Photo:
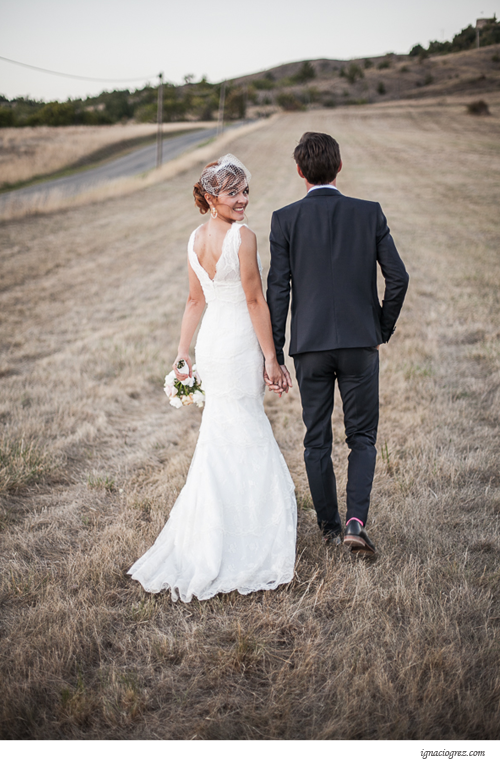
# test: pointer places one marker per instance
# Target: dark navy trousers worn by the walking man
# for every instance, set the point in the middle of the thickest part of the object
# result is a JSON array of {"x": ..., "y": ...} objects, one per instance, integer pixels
[{"x": 356, "y": 371}]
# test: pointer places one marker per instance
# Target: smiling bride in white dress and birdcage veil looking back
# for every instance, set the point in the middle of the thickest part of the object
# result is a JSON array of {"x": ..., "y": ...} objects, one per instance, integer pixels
[{"x": 233, "y": 526}]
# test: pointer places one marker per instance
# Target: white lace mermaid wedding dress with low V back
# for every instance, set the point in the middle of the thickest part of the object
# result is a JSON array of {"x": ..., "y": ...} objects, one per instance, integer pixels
[{"x": 233, "y": 526}]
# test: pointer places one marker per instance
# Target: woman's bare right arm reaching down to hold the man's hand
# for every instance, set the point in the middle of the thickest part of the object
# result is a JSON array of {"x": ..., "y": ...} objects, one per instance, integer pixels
[{"x": 257, "y": 305}]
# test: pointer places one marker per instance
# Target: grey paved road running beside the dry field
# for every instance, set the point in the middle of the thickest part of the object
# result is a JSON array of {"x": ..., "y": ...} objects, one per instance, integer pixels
[{"x": 135, "y": 162}]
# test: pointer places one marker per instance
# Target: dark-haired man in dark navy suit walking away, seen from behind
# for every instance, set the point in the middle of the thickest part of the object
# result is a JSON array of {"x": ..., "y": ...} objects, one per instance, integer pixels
[{"x": 324, "y": 250}]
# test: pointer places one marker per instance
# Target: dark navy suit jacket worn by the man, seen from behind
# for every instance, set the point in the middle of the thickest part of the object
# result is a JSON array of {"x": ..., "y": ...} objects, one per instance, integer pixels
[{"x": 324, "y": 250}]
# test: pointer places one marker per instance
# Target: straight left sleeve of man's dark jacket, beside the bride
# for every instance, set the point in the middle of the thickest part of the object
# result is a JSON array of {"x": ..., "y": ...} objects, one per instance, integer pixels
[{"x": 278, "y": 285}]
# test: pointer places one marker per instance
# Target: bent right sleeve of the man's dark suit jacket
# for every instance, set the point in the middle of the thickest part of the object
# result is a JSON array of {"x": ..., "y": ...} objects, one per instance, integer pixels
[{"x": 395, "y": 275}]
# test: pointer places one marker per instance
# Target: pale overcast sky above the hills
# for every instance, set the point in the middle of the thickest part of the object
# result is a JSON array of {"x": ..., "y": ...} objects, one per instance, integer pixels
[{"x": 121, "y": 39}]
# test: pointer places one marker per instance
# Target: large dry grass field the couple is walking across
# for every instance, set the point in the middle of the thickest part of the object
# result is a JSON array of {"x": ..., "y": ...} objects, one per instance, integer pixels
[{"x": 92, "y": 457}]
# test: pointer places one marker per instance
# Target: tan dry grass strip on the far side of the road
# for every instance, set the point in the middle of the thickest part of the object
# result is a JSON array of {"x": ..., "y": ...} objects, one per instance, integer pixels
[{"x": 27, "y": 152}]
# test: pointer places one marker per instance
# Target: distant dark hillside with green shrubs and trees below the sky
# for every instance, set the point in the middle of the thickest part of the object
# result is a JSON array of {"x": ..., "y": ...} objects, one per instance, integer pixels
[{"x": 442, "y": 68}]
